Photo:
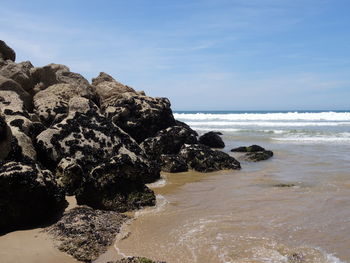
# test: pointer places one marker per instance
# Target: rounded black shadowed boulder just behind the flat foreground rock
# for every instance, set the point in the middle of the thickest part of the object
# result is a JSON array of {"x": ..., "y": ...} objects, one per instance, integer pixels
[{"x": 118, "y": 185}]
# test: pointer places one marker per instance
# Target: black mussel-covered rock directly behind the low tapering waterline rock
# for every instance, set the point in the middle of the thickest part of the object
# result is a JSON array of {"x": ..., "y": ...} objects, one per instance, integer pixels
[{"x": 168, "y": 141}]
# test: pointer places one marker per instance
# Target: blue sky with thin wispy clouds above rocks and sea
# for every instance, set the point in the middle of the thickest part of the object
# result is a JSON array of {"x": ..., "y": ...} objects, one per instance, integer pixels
[{"x": 202, "y": 55}]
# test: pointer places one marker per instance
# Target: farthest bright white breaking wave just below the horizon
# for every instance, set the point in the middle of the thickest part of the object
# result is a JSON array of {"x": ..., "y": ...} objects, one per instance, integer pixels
[{"x": 289, "y": 116}]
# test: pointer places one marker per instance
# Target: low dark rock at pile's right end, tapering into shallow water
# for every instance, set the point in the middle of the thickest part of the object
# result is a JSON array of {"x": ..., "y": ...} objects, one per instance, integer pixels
[{"x": 203, "y": 159}]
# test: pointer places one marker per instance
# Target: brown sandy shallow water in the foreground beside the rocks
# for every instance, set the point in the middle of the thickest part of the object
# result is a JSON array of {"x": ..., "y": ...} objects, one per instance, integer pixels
[{"x": 240, "y": 216}]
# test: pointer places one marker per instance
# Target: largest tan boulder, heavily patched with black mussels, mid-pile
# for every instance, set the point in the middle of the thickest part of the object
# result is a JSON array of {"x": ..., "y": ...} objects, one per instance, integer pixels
[{"x": 84, "y": 140}]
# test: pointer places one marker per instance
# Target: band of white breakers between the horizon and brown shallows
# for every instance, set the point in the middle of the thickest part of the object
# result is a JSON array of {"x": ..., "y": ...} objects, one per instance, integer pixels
[{"x": 299, "y": 126}]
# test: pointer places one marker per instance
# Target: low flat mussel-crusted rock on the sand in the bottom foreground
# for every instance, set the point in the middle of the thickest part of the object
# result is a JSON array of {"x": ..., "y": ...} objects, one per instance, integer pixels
[{"x": 86, "y": 233}]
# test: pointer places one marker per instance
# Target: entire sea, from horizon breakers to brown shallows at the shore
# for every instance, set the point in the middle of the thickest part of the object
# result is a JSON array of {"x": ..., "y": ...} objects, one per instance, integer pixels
[{"x": 241, "y": 216}]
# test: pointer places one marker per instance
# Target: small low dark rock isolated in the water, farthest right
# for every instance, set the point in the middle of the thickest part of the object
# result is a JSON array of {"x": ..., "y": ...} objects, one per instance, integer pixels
[{"x": 253, "y": 153}]
